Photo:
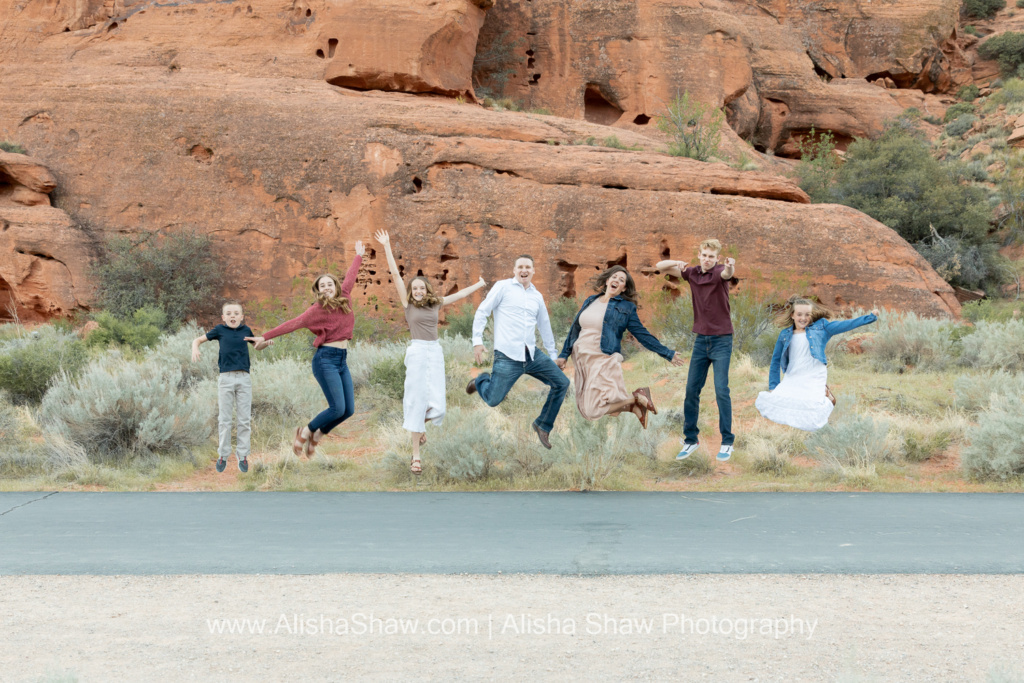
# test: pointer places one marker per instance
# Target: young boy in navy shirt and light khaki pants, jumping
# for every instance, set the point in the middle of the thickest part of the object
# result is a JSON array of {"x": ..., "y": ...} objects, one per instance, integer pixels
[{"x": 235, "y": 388}]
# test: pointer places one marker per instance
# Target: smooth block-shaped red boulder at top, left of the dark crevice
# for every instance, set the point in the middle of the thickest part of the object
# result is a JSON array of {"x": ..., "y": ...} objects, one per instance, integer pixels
[{"x": 404, "y": 46}]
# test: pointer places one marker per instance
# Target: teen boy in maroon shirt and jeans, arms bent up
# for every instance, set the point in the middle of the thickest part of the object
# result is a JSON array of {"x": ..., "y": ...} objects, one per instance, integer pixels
[{"x": 713, "y": 347}]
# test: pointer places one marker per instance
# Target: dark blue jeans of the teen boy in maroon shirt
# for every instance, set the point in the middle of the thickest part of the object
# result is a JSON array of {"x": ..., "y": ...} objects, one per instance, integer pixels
[{"x": 709, "y": 351}]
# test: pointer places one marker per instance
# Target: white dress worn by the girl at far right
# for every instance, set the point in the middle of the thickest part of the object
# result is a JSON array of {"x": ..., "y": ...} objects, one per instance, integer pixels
[{"x": 799, "y": 401}]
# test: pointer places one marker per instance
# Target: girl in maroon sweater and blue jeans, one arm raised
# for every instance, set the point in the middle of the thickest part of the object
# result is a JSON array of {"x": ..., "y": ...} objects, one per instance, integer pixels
[{"x": 331, "y": 319}]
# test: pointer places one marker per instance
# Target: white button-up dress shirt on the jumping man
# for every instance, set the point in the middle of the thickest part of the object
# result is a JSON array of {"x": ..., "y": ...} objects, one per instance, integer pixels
[{"x": 519, "y": 312}]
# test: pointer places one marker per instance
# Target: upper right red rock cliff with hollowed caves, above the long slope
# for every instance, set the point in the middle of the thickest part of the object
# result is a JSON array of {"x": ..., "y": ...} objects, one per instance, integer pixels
[{"x": 779, "y": 67}]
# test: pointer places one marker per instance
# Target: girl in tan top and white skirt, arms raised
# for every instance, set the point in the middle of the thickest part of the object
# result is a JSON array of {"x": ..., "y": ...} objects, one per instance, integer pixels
[{"x": 424, "y": 397}]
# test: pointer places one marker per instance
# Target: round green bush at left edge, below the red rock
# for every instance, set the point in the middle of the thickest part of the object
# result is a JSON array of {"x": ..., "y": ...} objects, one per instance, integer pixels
[{"x": 31, "y": 362}]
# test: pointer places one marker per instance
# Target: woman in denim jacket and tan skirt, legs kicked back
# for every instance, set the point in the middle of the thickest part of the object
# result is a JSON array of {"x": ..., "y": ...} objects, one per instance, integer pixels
[{"x": 594, "y": 341}]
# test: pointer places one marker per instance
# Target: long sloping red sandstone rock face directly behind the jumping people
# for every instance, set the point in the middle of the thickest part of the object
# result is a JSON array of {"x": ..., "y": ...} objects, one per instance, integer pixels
[{"x": 226, "y": 124}]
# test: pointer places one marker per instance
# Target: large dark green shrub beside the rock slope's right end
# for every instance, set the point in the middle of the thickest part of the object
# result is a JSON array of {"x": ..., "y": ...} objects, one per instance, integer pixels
[{"x": 897, "y": 181}]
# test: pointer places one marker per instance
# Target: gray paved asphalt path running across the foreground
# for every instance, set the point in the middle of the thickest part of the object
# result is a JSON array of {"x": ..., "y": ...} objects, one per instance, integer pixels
[{"x": 547, "y": 533}]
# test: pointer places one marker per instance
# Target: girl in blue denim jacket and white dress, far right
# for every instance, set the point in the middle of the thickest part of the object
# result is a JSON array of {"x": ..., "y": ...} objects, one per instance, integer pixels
[{"x": 802, "y": 399}]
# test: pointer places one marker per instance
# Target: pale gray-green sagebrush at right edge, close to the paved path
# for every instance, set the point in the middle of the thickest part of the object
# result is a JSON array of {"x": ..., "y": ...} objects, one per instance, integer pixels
[{"x": 996, "y": 449}]
